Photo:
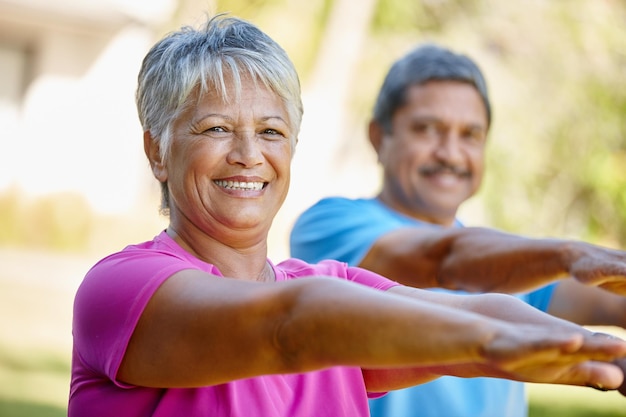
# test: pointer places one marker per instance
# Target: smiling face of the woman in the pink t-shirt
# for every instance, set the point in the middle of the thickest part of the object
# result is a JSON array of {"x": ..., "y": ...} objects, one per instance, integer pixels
[{"x": 229, "y": 165}]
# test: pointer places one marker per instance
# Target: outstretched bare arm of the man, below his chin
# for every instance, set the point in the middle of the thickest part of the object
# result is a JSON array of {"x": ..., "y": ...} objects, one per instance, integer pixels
[{"x": 486, "y": 260}]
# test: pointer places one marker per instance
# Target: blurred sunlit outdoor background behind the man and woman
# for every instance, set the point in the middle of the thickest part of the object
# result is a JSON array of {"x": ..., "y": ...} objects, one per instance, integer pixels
[{"x": 75, "y": 185}]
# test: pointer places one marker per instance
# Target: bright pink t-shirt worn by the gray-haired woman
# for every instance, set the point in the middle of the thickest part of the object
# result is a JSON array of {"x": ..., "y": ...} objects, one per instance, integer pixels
[{"x": 107, "y": 308}]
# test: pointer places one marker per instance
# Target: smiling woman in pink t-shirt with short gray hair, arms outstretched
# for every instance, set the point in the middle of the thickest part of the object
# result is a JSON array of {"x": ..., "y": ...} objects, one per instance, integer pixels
[{"x": 199, "y": 322}]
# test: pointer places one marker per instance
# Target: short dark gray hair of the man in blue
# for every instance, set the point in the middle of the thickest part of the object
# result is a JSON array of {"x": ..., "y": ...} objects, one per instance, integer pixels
[{"x": 426, "y": 63}]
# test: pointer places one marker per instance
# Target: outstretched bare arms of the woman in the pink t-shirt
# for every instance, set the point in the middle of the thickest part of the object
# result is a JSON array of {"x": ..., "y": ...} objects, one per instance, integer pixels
[{"x": 200, "y": 329}]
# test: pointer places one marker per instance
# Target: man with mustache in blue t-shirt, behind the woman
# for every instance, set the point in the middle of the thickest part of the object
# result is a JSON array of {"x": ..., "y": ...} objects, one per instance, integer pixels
[{"x": 429, "y": 129}]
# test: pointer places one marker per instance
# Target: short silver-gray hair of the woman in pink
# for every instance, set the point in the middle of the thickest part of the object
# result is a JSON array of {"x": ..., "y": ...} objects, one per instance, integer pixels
[{"x": 205, "y": 57}]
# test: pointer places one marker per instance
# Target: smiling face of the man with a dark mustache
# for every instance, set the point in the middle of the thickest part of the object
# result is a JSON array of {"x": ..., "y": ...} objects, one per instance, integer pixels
[{"x": 433, "y": 159}]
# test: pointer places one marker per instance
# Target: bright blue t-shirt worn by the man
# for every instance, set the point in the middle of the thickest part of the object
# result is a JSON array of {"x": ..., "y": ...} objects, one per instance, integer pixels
[{"x": 345, "y": 230}]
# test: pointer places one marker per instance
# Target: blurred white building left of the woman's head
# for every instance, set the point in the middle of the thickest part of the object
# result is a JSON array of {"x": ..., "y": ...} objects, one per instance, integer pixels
[{"x": 67, "y": 115}]
